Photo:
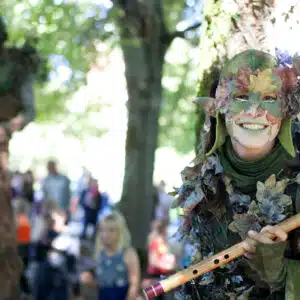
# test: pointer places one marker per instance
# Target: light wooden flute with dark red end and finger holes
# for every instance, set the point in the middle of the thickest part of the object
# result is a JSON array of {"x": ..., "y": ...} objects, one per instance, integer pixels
[{"x": 211, "y": 263}]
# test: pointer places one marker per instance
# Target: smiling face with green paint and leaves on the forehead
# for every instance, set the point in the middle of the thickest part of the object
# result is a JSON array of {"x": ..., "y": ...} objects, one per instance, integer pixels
[{"x": 254, "y": 111}]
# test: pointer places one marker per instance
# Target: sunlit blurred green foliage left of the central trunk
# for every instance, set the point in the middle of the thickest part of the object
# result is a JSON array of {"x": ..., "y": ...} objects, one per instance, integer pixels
[{"x": 66, "y": 34}]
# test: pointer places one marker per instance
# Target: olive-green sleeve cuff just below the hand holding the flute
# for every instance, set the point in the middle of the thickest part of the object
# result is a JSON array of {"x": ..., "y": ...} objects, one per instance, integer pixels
[{"x": 271, "y": 264}]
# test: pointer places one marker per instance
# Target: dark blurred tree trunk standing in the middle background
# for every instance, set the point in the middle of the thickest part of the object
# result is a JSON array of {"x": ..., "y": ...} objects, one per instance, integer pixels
[{"x": 141, "y": 30}]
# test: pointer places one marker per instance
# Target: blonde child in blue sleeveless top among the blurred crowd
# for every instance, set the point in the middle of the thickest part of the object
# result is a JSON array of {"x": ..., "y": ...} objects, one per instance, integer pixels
[{"x": 117, "y": 274}]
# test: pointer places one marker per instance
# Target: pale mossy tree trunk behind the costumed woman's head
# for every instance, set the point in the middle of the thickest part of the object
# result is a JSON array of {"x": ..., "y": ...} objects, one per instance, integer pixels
[{"x": 230, "y": 27}]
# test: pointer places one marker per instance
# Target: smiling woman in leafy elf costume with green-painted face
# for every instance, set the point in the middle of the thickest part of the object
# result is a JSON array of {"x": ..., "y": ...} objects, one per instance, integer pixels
[{"x": 244, "y": 181}]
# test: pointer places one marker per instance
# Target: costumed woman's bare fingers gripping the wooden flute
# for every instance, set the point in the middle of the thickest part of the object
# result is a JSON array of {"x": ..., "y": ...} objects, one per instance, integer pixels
[{"x": 275, "y": 234}]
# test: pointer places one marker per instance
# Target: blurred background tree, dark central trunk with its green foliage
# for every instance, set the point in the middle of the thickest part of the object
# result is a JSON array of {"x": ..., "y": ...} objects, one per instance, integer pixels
[{"x": 67, "y": 34}]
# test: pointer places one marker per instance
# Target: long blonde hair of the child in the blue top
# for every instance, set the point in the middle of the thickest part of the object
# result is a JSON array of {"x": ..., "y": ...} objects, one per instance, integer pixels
[{"x": 124, "y": 238}]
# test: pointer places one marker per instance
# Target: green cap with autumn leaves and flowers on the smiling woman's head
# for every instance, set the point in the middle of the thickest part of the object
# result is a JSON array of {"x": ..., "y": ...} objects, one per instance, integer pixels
[{"x": 259, "y": 75}]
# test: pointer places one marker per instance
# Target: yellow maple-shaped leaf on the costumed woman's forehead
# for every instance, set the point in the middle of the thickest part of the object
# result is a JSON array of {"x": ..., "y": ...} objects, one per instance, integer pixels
[{"x": 263, "y": 83}]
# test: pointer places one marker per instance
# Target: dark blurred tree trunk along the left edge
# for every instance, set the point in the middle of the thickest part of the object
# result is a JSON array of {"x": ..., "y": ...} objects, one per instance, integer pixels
[{"x": 18, "y": 68}]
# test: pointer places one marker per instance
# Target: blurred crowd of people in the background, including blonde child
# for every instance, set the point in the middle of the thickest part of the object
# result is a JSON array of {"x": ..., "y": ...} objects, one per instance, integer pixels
[{"x": 72, "y": 241}]
